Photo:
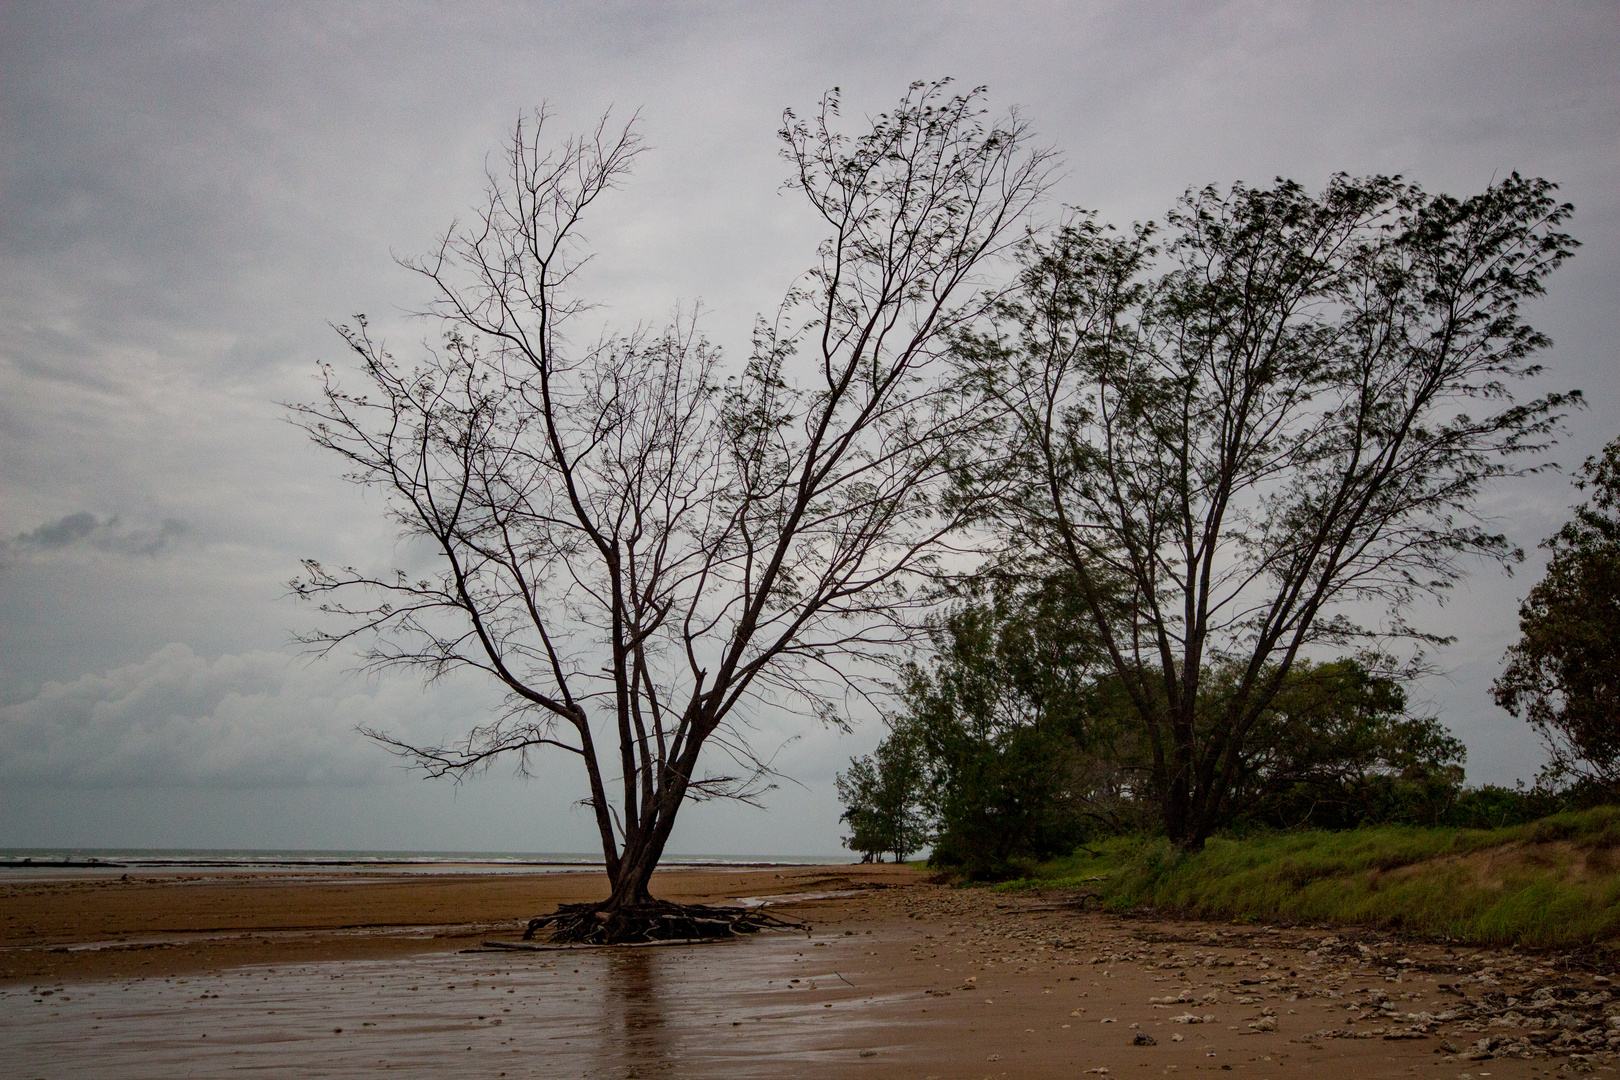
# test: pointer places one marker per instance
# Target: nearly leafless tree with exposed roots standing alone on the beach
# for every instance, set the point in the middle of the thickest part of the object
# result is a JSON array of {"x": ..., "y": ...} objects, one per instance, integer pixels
[{"x": 636, "y": 546}]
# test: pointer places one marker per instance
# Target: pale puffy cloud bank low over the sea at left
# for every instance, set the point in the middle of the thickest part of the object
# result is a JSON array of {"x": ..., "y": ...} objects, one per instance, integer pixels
[{"x": 249, "y": 720}]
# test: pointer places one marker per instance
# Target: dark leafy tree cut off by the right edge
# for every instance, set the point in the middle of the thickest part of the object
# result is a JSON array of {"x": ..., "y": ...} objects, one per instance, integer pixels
[{"x": 1564, "y": 674}]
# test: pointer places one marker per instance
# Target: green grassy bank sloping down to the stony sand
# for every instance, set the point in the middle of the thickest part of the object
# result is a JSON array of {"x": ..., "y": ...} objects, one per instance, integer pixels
[{"x": 1553, "y": 883}]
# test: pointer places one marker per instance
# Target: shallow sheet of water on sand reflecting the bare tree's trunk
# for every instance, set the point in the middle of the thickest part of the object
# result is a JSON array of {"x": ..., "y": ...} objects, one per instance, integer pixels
[{"x": 717, "y": 1011}]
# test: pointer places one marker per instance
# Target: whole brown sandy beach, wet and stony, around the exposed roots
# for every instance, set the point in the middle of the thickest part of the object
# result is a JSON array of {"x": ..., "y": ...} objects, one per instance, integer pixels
[{"x": 296, "y": 977}]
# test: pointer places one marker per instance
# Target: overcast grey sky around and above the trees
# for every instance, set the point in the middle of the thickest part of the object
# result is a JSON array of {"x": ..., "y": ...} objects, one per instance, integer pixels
[{"x": 192, "y": 193}]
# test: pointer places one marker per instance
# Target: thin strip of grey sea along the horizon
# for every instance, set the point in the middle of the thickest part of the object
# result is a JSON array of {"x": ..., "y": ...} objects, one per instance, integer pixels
[{"x": 121, "y": 859}]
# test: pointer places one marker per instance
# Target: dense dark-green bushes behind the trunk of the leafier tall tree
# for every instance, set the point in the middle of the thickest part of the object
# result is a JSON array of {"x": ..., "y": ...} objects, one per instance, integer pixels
[{"x": 1017, "y": 742}]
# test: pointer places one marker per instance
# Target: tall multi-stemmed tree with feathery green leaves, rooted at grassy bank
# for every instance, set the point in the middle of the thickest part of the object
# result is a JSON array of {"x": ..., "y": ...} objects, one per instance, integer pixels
[{"x": 1242, "y": 449}]
